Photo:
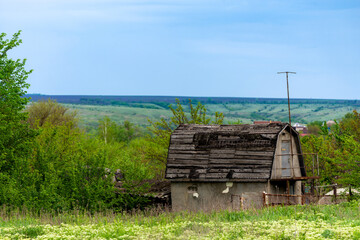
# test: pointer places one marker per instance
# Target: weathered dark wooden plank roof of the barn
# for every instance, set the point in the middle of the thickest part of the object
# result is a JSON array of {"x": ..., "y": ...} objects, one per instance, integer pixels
[{"x": 222, "y": 152}]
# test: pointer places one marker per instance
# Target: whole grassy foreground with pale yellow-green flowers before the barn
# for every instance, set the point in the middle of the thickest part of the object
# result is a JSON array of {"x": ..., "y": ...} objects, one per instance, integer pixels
[{"x": 295, "y": 222}]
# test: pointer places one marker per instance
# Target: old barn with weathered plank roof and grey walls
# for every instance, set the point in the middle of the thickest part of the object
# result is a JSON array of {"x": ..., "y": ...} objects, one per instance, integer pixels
[{"x": 231, "y": 166}]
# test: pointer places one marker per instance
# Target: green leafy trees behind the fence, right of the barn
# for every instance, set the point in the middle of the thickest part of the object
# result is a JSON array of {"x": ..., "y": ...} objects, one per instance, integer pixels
[{"x": 338, "y": 151}]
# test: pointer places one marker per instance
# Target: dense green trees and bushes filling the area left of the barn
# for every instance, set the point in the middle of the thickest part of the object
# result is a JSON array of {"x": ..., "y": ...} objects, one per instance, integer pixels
[{"x": 48, "y": 163}]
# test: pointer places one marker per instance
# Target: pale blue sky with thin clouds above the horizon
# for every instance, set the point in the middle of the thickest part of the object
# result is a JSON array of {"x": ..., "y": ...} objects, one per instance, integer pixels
[{"x": 214, "y": 48}]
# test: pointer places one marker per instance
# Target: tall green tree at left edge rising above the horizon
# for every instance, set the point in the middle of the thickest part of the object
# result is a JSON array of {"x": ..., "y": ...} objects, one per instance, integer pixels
[{"x": 16, "y": 136}]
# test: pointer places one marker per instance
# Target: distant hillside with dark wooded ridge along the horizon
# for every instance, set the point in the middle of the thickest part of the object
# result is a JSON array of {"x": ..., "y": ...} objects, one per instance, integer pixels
[{"x": 138, "y": 109}]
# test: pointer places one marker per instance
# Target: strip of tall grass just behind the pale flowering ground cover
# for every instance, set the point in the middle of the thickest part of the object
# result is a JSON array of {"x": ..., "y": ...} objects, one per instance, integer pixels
[{"x": 157, "y": 216}]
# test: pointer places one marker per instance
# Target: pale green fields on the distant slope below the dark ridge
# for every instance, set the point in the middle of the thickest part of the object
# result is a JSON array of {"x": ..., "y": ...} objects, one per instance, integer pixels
[{"x": 245, "y": 112}]
